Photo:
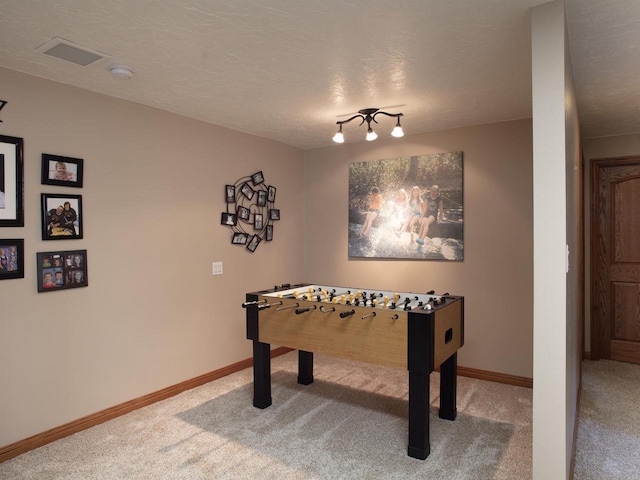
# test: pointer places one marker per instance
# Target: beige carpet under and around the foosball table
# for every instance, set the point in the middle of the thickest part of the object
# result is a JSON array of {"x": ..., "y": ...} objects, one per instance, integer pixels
[{"x": 350, "y": 423}]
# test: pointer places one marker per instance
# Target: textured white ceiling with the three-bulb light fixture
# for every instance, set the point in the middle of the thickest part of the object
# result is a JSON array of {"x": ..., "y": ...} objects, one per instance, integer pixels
[{"x": 289, "y": 69}]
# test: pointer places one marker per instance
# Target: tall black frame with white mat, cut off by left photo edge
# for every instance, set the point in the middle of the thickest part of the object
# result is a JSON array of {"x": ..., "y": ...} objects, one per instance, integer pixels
[{"x": 11, "y": 181}]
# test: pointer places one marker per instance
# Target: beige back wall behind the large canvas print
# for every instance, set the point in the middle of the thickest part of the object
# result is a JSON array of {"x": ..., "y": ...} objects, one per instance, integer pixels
[{"x": 496, "y": 276}]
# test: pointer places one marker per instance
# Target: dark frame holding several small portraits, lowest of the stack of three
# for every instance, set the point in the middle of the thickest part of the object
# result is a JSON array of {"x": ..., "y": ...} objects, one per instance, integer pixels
[{"x": 62, "y": 270}]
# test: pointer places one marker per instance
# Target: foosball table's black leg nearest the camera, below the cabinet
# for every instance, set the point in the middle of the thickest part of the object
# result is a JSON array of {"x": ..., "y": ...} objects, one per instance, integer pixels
[{"x": 419, "y": 446}]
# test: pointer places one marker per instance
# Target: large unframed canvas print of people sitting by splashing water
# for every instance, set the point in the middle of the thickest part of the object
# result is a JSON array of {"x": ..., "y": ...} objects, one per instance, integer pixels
[{"x": 407, "y": 208}]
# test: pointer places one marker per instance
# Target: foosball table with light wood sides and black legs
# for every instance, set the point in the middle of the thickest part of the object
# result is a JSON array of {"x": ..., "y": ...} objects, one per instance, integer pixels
[{"x": 418, "y": 332}]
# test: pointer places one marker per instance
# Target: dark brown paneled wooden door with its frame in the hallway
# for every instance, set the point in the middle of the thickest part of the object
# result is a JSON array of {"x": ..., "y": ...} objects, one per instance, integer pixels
[{"x": 615, "y": 260}]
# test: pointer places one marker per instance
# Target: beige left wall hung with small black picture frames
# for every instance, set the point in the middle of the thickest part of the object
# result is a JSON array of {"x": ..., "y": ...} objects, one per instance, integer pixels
[{"x": 153, "y": 315}]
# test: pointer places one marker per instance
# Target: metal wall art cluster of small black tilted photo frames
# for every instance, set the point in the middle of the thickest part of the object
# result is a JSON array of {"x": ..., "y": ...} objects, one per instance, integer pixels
[{"x": 250, "y": 211}]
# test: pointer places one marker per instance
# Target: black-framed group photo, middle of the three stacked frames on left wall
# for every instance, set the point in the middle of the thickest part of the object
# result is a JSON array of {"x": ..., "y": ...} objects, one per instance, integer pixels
[{"x": 61, "y": 217}]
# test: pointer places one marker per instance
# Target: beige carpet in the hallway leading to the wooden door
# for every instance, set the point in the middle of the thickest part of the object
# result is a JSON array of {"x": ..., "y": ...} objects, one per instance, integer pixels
[{"x": 608, "y": 442}]
